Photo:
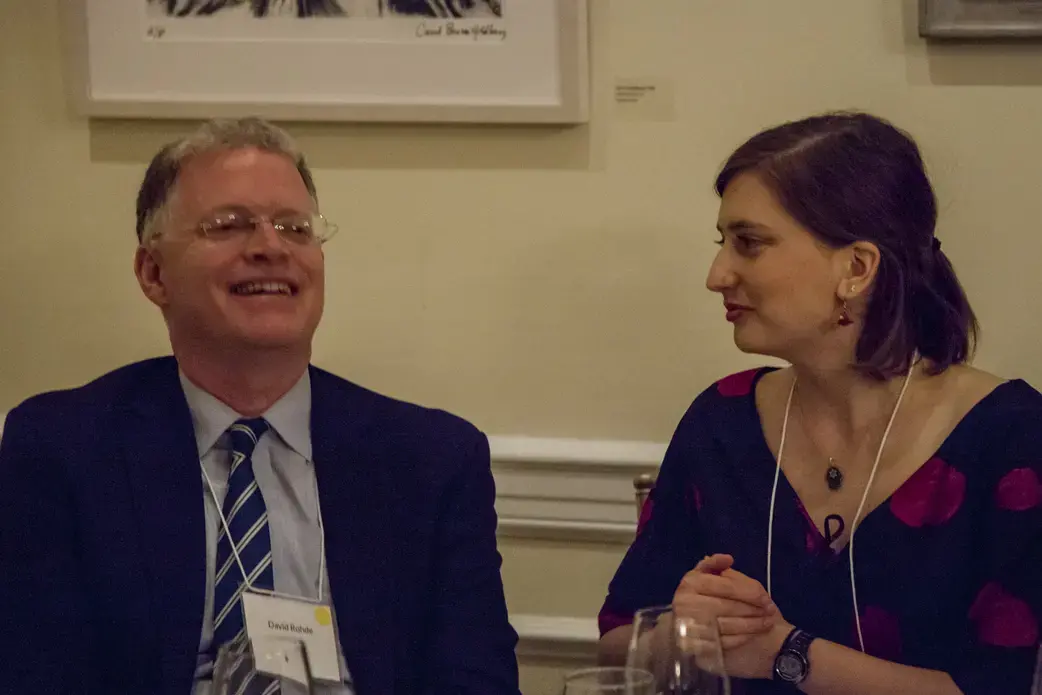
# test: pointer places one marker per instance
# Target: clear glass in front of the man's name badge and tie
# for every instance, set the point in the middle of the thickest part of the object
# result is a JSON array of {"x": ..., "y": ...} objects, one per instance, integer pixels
[{"x": 259, "y": 667}]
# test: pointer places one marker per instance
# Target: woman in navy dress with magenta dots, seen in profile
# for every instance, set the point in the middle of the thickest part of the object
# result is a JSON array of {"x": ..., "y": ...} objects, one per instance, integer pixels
[{"x": 878, "y": 471}]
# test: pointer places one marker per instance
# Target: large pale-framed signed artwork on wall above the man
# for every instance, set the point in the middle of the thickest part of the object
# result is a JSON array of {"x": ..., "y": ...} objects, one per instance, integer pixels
[{"x": 391, "y": 61}]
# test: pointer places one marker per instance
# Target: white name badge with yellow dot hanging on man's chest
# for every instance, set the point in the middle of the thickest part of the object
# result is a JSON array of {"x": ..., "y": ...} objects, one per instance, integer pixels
[{"x": 275, "y": 617}]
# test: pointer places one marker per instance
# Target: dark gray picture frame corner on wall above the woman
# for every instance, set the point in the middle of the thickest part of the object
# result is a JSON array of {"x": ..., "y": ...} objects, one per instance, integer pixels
[{"x": 981, "y": 19}]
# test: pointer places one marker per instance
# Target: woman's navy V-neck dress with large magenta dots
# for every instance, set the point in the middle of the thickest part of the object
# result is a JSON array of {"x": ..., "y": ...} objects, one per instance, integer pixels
[{"x": 949, "y": 568}]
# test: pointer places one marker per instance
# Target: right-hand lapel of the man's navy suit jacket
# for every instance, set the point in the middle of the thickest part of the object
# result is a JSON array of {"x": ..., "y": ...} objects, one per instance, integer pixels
[{"x": 354, "y": 489}]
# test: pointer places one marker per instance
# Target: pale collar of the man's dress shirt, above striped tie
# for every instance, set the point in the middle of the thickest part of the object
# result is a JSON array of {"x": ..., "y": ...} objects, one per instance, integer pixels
[{"x": 290, "y": 416}]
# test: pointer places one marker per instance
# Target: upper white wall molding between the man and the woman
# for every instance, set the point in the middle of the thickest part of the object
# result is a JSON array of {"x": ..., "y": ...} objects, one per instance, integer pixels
[{"x": 567, "y": 488}]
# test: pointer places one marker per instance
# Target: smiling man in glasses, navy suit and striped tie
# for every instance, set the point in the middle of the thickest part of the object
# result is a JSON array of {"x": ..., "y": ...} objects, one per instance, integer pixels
[{"x": 123, "y": 503}]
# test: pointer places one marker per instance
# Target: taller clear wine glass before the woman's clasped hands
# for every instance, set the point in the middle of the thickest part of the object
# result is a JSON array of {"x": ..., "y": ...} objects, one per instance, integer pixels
[{"x": 683, "y": 653}]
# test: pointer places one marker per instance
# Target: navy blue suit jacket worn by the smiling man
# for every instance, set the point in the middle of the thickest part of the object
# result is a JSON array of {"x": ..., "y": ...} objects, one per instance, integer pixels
[{"x": 103, "y": 545}]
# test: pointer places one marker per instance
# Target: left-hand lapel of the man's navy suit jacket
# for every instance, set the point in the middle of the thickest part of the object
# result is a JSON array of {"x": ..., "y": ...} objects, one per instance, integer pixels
[{"x": 164, "y": 471}]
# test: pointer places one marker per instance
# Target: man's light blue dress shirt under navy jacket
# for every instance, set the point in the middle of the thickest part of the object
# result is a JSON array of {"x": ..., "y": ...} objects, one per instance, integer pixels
[{"x": 285, "y": 474}]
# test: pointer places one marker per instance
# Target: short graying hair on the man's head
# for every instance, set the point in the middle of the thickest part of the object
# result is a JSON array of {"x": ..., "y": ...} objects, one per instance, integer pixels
[{"x": 161, "y": 179}]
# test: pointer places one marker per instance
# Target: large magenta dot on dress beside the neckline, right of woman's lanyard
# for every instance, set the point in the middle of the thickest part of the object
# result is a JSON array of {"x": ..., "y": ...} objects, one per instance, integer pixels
[{"x": 931, "y": 498}]
